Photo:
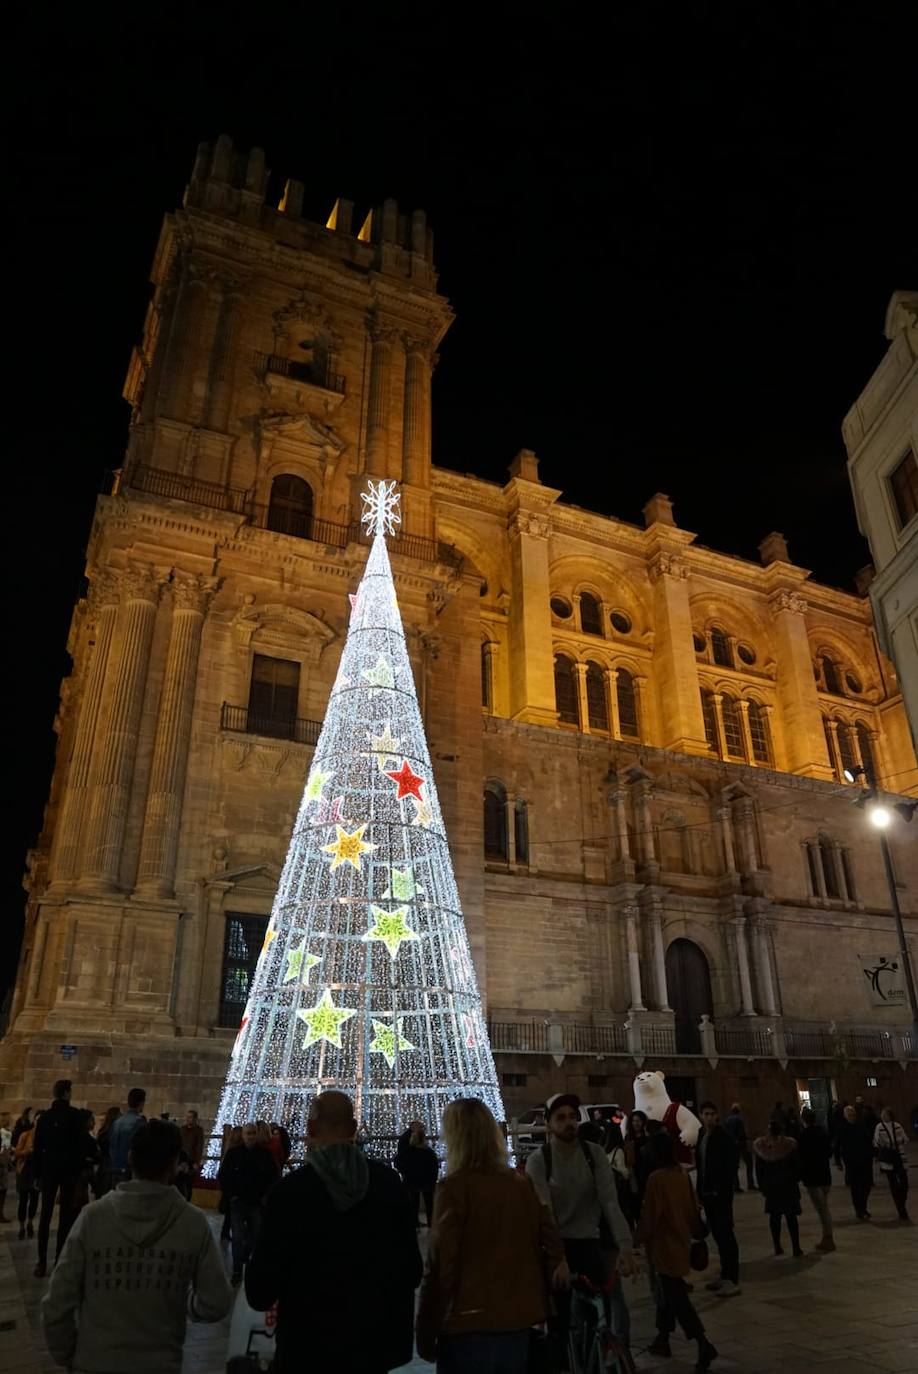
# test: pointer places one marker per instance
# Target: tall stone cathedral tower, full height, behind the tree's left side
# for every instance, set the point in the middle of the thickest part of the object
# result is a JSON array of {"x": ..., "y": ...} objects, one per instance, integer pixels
[{"x": 282, "y": 362}]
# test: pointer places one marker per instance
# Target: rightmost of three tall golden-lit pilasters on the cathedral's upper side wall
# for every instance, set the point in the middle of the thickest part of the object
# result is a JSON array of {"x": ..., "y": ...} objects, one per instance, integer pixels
[{"x": 798, "y": 696}]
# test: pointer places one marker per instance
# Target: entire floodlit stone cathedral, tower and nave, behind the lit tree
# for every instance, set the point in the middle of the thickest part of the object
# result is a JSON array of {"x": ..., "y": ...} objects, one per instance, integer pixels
[{"x": 640, "y": 744}]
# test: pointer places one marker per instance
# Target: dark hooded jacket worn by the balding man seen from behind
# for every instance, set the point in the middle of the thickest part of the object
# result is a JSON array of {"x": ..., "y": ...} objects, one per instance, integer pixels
[{"x": 339, "y": 1252}]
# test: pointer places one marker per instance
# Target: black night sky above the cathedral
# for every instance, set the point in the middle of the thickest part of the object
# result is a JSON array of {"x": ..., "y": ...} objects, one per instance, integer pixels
[{"x": 670, "y": 234}]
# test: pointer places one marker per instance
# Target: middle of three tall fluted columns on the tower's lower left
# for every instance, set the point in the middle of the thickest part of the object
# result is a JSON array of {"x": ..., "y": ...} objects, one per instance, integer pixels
[{"x": 113, "y": 762}]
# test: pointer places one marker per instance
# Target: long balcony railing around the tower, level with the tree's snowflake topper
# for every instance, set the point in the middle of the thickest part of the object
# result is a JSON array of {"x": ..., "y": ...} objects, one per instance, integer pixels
[{"x": 282, "y": 520}]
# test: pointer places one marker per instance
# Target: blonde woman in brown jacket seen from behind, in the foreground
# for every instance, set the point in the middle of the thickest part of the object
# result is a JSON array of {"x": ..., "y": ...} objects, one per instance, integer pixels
[{"x": 491, "y": 1246}]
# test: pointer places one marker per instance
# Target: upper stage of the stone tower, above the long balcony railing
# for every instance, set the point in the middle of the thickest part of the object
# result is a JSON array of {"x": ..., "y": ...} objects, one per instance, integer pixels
[{"x": 274, "y": 344}]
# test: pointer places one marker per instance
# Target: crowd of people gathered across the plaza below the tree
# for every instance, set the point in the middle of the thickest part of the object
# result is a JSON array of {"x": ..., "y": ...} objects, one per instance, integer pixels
[{"x": 335, "y": 1246}]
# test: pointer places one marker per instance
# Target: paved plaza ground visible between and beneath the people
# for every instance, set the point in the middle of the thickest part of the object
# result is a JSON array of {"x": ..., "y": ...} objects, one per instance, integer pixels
[{"x": 854, "y": 1310}]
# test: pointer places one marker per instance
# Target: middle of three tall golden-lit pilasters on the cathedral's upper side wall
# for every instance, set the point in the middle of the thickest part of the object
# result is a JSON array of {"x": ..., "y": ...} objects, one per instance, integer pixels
[{"x": 675, "y": 668}]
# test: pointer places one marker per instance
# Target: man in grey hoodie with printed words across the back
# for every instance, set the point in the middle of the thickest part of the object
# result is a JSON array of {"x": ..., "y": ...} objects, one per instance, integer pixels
[{"x": 135, "y": 1263}]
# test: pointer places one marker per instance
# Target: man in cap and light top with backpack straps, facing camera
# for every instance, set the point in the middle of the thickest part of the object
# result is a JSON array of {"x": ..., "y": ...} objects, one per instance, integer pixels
[{"x": 574, "y": 1180}]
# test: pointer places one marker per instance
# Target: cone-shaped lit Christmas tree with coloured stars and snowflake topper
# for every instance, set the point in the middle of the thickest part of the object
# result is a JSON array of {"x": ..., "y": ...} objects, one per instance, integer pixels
[{"x": 365, "y": 980}]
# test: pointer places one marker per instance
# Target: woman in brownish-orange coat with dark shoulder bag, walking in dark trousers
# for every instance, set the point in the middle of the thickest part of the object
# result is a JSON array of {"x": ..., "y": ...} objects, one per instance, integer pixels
[{"x": 670, "y": 1221}]
